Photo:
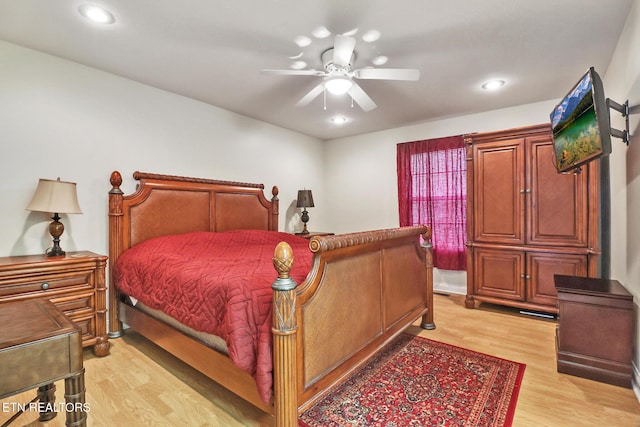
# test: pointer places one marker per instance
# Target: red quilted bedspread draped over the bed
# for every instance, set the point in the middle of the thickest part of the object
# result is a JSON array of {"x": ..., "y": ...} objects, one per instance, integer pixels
[{"x": 218, "y": 283}]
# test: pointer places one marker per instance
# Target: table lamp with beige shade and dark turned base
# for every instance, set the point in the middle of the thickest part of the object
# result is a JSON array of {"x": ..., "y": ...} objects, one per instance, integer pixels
[{"x": 55, "y": 197}]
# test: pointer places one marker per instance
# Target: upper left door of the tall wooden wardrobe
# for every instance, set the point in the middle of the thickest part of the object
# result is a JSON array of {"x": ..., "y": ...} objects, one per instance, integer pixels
[{"x": 499, "y": 190}]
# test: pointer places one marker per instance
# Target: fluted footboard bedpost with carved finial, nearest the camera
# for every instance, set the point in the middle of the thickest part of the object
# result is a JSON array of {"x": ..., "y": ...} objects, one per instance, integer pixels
[{"x": 284, "y": 339}]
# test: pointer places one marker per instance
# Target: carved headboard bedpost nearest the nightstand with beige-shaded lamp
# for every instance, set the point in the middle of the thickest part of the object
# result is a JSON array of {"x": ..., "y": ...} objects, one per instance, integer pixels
[{"x": 115, "y": 249}]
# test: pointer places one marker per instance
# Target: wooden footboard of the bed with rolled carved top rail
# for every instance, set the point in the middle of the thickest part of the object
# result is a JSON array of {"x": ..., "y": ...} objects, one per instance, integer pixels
[{"x": 363, "y": 290}]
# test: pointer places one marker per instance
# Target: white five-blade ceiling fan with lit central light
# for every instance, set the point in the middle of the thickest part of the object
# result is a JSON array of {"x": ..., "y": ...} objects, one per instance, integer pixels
[{"x": 338, "y": 74}]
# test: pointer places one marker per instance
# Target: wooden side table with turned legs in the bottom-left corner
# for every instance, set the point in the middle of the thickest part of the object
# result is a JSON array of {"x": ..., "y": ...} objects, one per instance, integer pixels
[{"x": 38, "y": 346}]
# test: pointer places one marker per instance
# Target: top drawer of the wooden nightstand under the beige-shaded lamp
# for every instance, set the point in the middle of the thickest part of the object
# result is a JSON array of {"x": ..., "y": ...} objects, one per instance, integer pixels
[{"x": 49, "y": 284}]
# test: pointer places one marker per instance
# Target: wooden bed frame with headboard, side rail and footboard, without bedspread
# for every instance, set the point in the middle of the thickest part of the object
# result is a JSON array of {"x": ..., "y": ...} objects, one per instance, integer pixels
[{"x": 361, "y": 291}]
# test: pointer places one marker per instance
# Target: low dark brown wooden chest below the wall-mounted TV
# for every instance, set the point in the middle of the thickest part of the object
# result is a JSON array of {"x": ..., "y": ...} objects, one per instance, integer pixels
[{"x": 595, "y": 329}]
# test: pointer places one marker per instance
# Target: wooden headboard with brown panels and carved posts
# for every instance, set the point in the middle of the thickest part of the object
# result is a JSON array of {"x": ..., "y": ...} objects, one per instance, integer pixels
[{"x": 166, "y": 204}]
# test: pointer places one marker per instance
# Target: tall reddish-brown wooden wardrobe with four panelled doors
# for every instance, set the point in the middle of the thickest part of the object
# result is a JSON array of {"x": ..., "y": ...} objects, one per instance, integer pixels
[{"x": 525, "y": 221}]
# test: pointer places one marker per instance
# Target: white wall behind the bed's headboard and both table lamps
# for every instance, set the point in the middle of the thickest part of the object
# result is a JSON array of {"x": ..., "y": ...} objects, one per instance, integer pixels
[{"x": 61, "y": 119}]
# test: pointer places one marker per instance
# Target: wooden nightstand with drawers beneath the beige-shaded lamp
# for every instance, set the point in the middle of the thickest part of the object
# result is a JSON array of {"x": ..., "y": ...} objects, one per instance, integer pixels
[{"x": 75, "y": 283}]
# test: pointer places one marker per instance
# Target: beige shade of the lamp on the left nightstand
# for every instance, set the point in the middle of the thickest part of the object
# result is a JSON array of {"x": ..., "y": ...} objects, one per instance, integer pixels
[{"x": 55, "y": 197}]
